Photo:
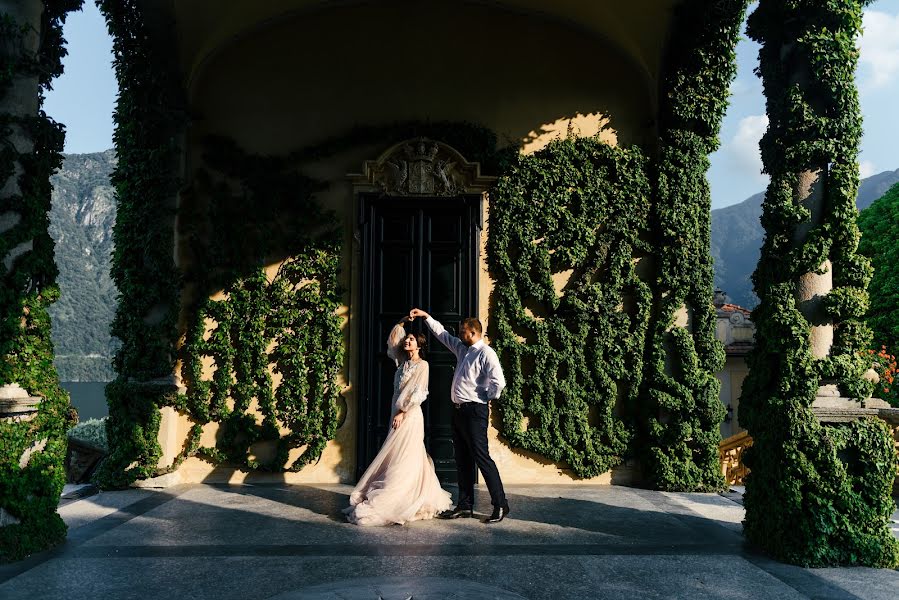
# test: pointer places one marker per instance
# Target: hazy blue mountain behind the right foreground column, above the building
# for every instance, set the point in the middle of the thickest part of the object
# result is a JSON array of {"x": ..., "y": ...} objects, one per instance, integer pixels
[{"x": 737, "y": 237}]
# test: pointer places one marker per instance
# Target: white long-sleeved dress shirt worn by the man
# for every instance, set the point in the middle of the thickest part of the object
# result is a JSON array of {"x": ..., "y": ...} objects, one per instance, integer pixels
[{"x": 478, "y": 377}]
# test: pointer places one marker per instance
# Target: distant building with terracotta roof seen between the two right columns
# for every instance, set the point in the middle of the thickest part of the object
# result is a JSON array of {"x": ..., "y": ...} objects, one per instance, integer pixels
[{"x": 736, "y": 331}]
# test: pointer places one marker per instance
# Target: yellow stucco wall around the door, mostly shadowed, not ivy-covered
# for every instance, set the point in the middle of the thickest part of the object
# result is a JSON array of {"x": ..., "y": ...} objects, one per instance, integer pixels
[{"x": 306, "y": 79}]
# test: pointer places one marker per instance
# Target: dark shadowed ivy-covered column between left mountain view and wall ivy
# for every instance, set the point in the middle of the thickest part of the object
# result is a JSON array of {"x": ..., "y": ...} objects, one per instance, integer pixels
[{"x": 143, "y": 266}]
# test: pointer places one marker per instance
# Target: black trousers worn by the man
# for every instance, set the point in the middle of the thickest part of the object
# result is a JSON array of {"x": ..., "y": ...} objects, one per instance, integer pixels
[{"x": 470, "y": 441}]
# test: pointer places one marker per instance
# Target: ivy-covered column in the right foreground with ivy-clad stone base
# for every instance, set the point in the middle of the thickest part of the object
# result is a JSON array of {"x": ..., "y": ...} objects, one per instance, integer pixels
[{"x": 819, "y": 491}]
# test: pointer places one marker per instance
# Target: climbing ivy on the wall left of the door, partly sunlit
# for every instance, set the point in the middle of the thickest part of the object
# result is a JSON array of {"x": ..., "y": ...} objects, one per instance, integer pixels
[{"x": 284, "y": 324}]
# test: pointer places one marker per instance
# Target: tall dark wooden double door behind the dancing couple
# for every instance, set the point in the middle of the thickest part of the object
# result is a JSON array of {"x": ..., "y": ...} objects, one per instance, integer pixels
[{"x": 416, "y": 252}]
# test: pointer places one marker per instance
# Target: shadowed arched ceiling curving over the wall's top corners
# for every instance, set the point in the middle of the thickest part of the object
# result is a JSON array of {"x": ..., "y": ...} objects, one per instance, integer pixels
[{"x": 639, "y": 28}]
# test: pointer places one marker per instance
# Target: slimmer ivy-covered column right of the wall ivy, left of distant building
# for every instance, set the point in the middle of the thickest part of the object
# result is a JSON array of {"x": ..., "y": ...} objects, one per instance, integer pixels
[{"x": 682, "y": 409}]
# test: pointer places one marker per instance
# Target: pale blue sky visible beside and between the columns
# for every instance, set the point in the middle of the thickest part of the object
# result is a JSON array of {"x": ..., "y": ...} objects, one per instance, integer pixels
[{"x": 83, "y": 99}]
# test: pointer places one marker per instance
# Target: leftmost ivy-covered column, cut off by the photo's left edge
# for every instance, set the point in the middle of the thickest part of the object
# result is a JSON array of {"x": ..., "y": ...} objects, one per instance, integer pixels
[{"x": 34, "y": 410}]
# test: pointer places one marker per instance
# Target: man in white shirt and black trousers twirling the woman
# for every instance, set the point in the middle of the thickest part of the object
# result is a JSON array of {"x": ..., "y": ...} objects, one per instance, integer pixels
[{"x": 477, "y": 380}]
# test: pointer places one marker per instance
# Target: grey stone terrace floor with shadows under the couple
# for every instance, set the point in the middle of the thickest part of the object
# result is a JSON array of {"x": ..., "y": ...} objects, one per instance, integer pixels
[{"x": 290, "y": 542}]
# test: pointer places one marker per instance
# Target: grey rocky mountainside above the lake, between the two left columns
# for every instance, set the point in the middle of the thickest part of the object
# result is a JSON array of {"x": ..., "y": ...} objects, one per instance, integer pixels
[{"x": 82, "y": 215}]
